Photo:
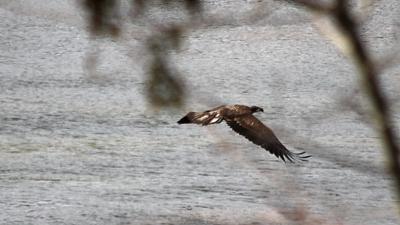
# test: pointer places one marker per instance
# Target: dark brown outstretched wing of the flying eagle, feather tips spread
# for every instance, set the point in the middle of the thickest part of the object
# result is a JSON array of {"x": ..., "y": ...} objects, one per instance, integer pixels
[{"x": 255, "y": 131}]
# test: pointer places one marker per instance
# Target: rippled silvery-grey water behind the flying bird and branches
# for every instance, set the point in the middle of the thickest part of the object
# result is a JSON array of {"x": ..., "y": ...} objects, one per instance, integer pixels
[{"x": 87, "y": 149}]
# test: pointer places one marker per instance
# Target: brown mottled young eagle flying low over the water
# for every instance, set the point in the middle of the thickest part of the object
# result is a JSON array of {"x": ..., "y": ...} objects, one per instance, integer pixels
[{"x": 241, "y": 120}]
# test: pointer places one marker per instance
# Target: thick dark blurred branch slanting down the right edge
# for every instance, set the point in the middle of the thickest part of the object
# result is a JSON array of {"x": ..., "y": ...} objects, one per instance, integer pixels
[{"x": 346, "y": 24}]
